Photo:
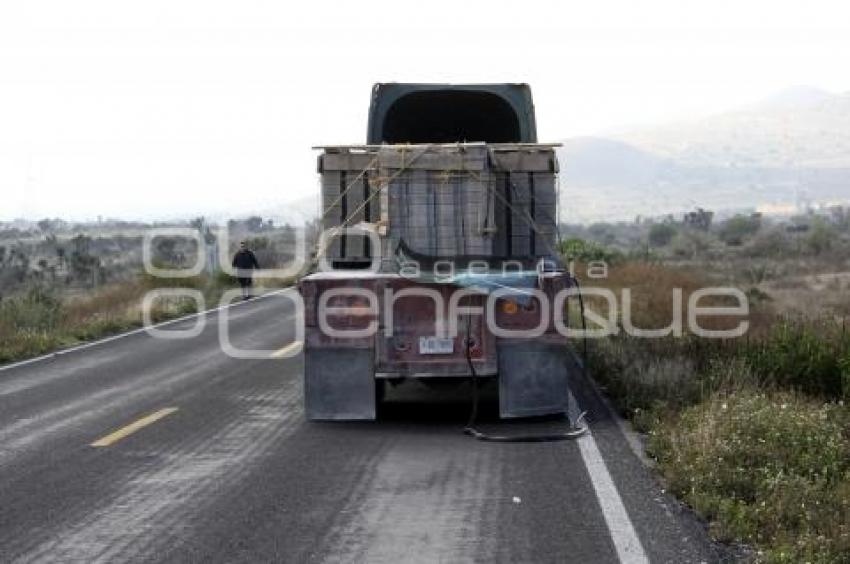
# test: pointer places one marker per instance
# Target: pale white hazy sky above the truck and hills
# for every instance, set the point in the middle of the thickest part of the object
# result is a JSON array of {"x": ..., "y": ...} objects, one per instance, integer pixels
[{"x": 167, "y": 108}]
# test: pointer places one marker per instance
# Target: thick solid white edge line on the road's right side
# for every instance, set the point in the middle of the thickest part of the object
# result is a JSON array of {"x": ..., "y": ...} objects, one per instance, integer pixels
[{"x": 626, "y": 541}]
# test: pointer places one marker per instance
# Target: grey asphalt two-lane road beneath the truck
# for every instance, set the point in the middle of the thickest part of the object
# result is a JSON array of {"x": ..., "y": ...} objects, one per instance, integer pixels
[{"x": 236, "y": 474}]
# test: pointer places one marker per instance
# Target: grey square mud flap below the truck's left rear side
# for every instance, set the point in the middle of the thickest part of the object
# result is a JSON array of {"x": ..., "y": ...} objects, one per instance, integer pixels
[{"x": 339, "y": 384}]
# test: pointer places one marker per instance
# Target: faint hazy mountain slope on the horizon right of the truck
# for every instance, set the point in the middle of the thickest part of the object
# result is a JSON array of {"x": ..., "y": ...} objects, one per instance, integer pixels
[{"x": 791, "y": 149}]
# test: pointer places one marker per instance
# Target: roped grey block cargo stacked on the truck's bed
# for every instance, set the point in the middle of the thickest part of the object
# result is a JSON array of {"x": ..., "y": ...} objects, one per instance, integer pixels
[{"x": 442, "y": 200}]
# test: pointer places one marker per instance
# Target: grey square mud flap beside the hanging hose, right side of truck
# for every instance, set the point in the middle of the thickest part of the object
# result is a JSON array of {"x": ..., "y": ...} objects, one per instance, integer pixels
[{"x": 533, "y": 379}]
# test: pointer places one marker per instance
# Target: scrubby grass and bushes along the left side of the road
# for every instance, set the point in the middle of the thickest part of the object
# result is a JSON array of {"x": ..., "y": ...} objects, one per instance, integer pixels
[{"x": 62, "y": 285}]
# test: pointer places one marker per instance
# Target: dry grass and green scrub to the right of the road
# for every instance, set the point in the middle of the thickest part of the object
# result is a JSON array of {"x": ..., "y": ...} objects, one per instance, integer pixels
[{"x": 753, "y": 433}]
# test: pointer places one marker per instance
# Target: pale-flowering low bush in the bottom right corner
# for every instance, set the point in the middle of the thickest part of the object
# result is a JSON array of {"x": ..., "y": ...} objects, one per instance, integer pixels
[{"x": 769, "y": 470}]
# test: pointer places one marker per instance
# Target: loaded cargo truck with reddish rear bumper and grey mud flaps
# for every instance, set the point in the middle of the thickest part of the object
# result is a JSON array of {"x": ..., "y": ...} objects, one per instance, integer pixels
[{"x": 438, "y": 259}]
